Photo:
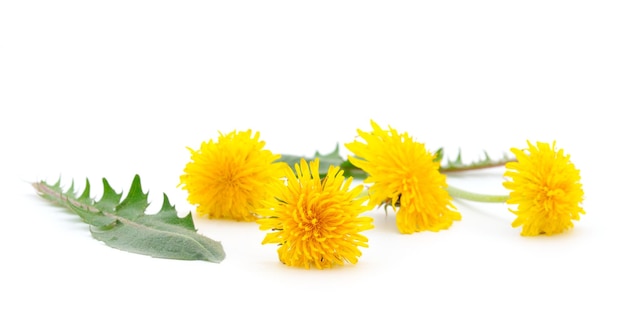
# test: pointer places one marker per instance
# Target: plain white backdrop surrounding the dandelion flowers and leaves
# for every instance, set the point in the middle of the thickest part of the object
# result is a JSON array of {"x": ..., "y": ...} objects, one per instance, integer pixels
[{"x": 92, "y": 89}]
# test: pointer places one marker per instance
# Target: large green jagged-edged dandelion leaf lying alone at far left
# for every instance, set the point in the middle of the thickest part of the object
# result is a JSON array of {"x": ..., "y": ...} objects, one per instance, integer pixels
[{"x": 125, "y": 226}]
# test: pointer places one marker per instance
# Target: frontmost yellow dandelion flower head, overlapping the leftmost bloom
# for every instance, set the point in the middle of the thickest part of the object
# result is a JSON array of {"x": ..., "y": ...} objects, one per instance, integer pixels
[{"x": 316, "y": 221}]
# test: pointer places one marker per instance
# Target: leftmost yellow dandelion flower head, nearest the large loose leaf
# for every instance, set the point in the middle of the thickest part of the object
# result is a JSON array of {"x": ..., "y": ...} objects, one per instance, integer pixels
[{"x": 229, "y": 178}]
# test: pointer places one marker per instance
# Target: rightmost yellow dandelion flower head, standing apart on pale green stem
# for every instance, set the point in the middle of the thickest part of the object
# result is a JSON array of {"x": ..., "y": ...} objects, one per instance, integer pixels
[{"x": 545, "y": 186}]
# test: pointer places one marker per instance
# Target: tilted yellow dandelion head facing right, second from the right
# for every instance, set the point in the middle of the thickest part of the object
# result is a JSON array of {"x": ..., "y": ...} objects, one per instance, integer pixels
[{"x": 401, "y": 169}]
